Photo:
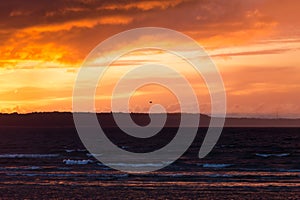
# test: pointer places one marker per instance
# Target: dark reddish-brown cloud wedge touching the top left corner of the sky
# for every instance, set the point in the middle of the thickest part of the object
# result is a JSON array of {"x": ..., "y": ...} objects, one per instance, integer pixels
[{"x": 17, "y": 14}]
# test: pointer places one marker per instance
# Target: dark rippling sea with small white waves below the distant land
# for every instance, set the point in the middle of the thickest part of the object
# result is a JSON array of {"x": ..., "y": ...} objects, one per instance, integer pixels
[{"x": 246, "y": 163}]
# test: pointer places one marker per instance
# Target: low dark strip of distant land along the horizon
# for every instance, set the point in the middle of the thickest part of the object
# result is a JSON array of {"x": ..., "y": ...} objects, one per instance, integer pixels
[{"x": 63, "y": 119}]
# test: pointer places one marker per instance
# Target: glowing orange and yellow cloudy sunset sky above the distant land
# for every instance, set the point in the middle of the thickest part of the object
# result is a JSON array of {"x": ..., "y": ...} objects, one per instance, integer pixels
[{"x": 254, "y": 43}]
